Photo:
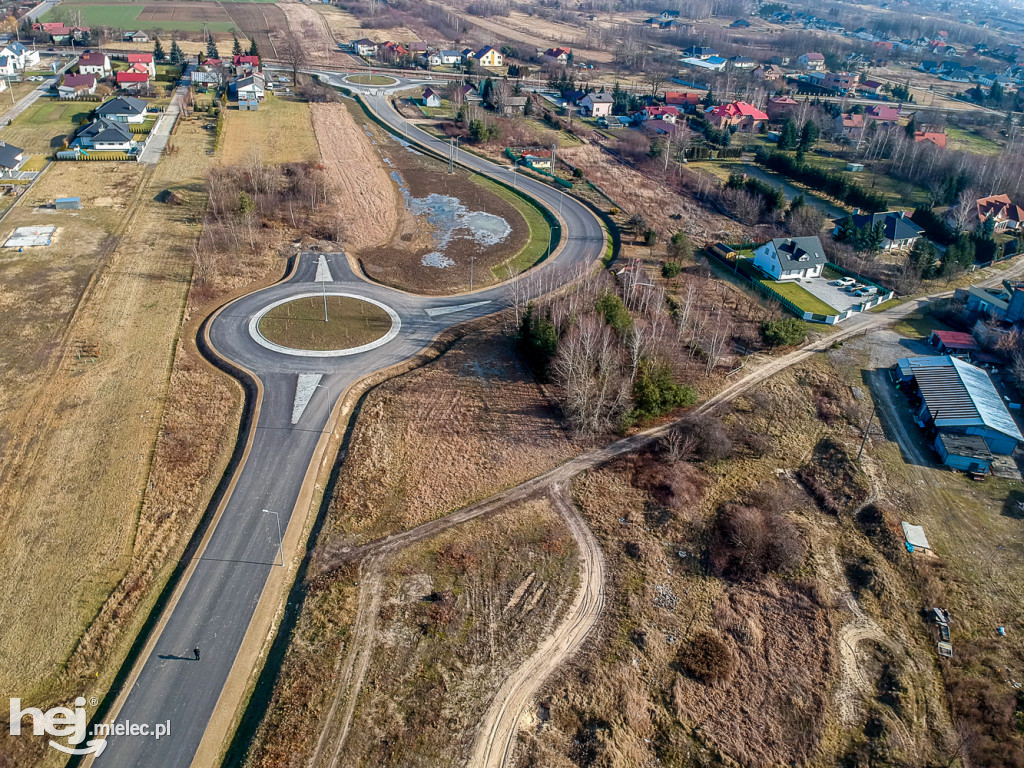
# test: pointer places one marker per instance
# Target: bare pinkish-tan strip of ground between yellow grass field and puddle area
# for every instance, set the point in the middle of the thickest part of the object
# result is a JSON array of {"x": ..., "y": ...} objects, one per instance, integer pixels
[{"x": 358, "y": 177}]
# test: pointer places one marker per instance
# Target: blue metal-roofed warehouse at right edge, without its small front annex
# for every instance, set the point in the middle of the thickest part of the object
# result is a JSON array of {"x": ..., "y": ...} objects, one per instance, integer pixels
[{"x": 961, "y": 399}]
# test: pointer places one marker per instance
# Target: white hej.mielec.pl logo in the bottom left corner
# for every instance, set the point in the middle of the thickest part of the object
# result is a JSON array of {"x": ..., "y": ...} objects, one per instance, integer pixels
[{"x": 72, "y": 726}]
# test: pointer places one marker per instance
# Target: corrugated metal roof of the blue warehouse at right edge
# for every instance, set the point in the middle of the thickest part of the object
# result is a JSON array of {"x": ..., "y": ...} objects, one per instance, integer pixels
[{"x": 958, "y": 394}]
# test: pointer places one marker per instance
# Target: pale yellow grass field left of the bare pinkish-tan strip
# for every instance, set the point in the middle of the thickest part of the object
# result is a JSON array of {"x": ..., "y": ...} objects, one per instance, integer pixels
[{"x": 281, "y": 132}]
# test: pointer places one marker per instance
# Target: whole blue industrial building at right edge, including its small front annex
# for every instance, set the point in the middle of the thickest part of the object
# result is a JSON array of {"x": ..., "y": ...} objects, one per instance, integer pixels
[{"x": 958, "y": 404}]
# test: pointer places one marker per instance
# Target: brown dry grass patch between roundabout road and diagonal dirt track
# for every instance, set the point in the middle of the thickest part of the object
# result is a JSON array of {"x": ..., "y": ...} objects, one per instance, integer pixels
[{"x": 460, "y": 430}]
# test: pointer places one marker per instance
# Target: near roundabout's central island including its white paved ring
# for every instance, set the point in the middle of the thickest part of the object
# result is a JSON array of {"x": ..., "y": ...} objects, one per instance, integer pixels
[{"x": 324, "y": 325}]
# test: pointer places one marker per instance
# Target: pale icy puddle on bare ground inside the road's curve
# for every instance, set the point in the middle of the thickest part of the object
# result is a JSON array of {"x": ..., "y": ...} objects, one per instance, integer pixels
[{"x": 452, "y": 220}]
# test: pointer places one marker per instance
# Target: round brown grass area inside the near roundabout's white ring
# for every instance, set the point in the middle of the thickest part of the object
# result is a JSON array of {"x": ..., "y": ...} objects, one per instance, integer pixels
[{"x": 300, "y": 324}]
